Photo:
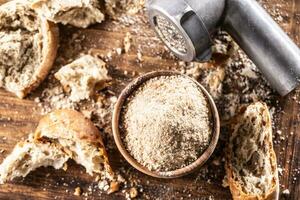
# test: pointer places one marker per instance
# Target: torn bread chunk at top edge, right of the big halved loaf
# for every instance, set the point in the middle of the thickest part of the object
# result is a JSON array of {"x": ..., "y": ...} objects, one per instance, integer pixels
[{"x": 78, "y": 13}]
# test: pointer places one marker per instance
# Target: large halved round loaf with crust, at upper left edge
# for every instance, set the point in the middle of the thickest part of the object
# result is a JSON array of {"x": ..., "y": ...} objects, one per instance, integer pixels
[{"x": 28, "y": 46}]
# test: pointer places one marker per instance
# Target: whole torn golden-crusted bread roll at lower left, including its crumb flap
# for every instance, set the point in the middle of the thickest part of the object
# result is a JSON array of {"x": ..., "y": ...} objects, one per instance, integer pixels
[{"x": 60, "y": 135}]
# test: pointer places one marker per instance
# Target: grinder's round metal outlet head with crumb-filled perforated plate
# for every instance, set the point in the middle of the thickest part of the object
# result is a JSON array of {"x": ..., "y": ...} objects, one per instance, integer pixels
[{"x": 181, "y": 29}]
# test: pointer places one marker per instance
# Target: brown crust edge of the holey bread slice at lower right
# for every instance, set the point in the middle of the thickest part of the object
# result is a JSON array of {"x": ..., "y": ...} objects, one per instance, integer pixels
[{"x": 235, "y": 187}]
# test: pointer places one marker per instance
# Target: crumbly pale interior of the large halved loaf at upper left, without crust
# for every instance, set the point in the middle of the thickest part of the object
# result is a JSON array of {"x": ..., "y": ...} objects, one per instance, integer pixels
[{"x": 21, "y": 45}]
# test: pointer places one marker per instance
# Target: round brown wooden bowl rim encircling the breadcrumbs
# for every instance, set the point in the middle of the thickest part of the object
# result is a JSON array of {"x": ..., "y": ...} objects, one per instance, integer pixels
[{"x": 133, "y": 86}]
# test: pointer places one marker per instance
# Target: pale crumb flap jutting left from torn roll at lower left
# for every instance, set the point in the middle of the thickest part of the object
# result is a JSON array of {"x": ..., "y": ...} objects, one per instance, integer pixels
[{"x": 30, "y": 155}]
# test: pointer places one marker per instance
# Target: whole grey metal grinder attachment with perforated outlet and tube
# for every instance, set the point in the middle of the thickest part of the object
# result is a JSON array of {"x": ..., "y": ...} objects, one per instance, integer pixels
[{"x": 188, "y": 26}]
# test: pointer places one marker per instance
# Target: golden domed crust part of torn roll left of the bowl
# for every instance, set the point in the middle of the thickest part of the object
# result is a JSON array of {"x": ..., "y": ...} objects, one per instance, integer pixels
[{"x": 79, "y": 137}]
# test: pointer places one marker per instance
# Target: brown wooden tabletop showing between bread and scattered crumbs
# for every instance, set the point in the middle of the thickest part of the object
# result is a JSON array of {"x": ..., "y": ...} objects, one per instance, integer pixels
[{"x": 20, "y": 117}]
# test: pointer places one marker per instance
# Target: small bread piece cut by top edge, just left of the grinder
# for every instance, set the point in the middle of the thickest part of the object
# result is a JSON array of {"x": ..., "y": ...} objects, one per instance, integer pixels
[{"x": 116, "y": 7}]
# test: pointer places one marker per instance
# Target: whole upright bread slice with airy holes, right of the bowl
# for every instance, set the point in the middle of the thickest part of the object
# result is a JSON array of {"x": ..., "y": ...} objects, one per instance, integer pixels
[{"x": 251, "y": 164}]
